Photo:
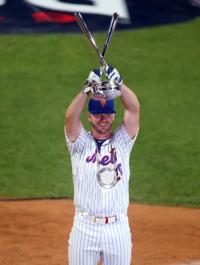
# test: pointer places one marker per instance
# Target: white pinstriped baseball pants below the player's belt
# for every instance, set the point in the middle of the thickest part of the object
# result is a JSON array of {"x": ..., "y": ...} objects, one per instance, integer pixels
[{"x": 89, "y": 241}]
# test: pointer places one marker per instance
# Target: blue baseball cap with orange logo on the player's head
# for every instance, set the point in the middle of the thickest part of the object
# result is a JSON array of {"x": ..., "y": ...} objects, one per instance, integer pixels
[{"x": 101, "y": 107}]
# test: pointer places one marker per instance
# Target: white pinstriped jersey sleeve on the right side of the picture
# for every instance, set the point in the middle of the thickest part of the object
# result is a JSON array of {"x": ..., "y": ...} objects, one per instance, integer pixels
[{"x": 123, "y": 139}]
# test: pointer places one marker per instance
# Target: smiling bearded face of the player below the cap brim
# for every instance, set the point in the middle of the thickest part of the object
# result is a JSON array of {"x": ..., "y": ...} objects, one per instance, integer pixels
[{"x": 101, "y": 123}]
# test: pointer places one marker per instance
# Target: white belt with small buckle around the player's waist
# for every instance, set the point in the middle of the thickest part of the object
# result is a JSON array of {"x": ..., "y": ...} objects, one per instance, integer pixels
[{"x": 100, "y": 219}]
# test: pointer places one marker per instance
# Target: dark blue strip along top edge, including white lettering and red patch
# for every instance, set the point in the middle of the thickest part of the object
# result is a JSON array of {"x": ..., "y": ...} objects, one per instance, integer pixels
[{"x": 26, "y": 16}]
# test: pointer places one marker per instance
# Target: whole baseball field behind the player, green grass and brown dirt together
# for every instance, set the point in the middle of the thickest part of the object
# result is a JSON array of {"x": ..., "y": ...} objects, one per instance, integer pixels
[{"x": 39, "y": 76}]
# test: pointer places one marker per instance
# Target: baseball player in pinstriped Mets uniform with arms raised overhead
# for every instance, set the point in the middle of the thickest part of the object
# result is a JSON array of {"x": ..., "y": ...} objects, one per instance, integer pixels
[{"x": 100, "y": 168}]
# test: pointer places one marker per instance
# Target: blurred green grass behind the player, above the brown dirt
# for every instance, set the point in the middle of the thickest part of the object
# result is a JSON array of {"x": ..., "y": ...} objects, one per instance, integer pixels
[{"x": 39, "y": 76}]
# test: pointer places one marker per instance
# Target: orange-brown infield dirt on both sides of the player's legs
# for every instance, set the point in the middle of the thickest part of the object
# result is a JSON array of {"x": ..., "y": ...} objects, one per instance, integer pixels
[{"x": 36, "y": 232}]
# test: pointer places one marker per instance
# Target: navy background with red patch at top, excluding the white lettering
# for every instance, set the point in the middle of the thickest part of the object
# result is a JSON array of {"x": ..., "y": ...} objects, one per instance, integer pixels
[{"x": 20, "y": 17}]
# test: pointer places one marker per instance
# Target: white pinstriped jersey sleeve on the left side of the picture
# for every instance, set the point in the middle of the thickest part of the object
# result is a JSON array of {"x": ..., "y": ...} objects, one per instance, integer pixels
[{"x": 78, "y": 145}]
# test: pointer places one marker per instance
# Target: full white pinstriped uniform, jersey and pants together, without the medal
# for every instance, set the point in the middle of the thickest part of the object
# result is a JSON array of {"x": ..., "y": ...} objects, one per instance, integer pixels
[{"x": 90, "y": 240}]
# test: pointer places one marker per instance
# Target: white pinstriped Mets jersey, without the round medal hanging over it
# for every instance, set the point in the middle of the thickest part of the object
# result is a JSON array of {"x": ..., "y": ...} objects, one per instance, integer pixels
[{"x": 89, "y": 196}]
